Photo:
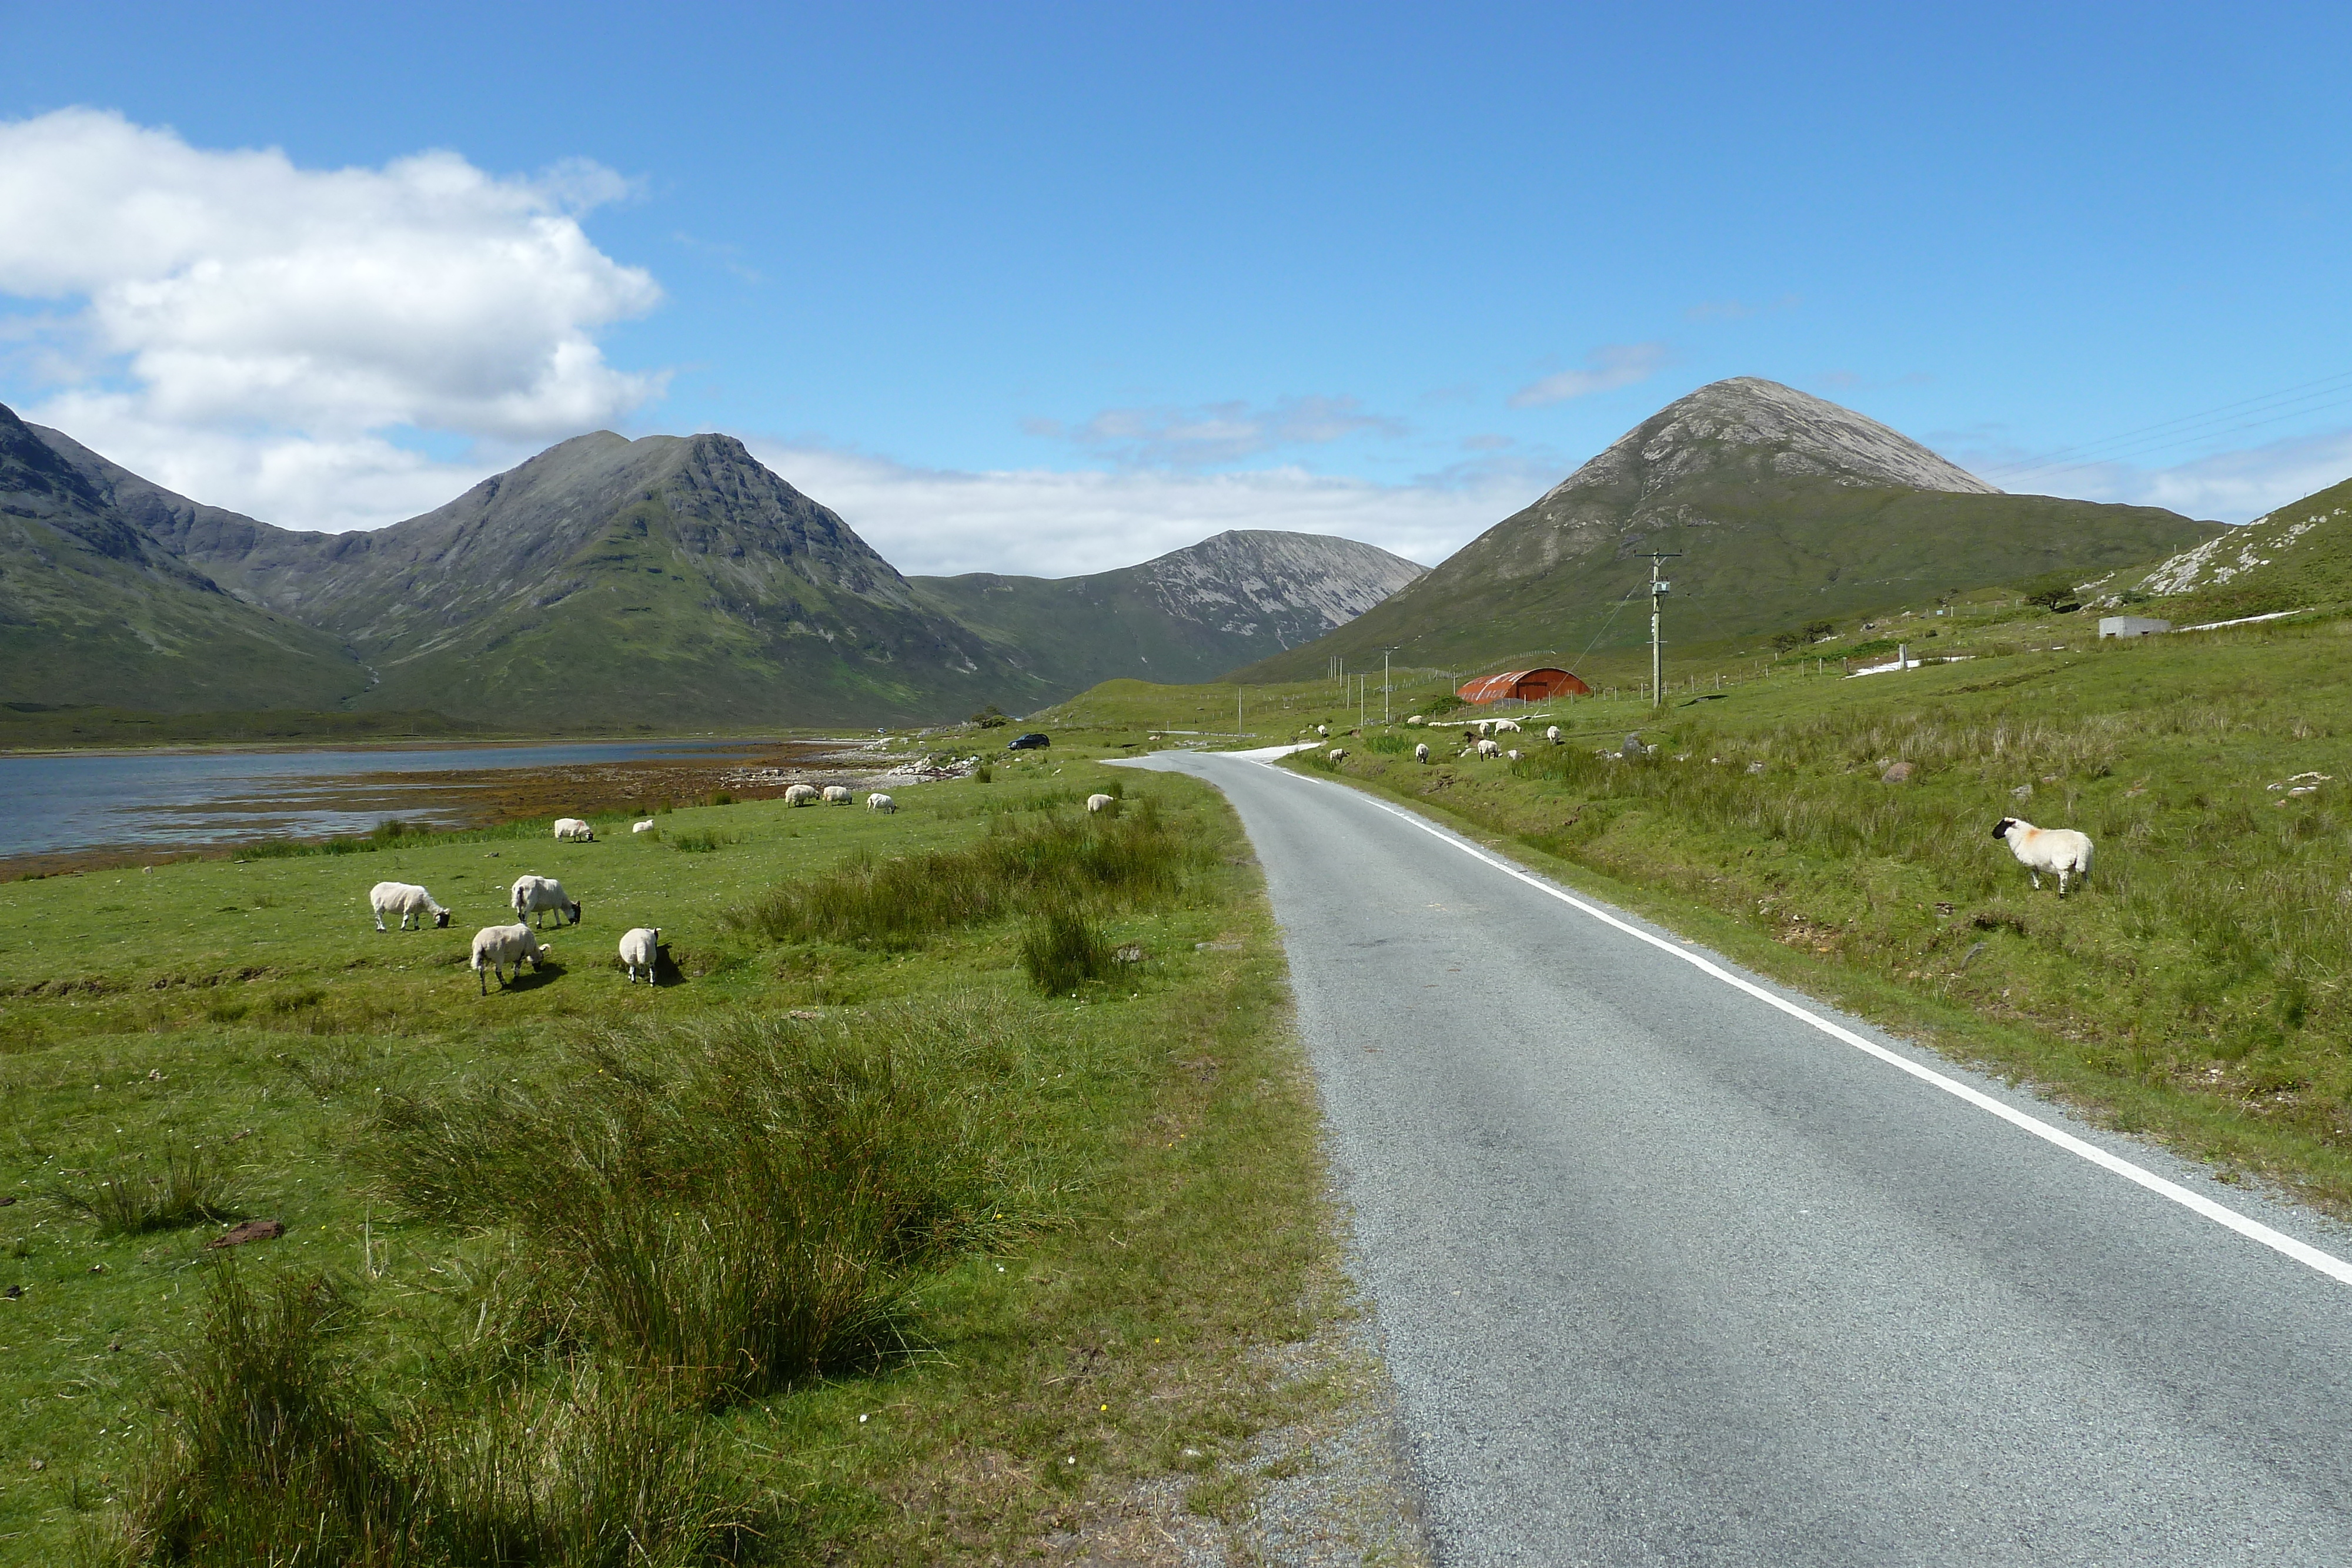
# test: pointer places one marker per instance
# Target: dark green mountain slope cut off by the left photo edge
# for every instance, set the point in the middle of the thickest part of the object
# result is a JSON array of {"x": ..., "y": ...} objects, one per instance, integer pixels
[{"x": 98, "y": 610}]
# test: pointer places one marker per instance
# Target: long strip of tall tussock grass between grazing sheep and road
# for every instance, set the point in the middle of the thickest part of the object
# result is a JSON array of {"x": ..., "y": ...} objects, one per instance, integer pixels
[{"x": 1116, "y": 859}]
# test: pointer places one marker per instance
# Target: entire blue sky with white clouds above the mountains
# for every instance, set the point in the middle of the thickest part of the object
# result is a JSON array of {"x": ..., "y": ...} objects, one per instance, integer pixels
[{"x": 1057, "y": 288}]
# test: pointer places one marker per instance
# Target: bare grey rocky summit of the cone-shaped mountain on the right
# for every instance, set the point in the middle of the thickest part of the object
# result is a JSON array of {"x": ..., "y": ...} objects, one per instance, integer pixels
[{"x": 1760, "y": 429}]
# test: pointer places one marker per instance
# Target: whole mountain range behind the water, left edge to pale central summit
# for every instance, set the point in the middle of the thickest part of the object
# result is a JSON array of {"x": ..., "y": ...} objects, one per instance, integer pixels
[{"x": 660, "y": 584}]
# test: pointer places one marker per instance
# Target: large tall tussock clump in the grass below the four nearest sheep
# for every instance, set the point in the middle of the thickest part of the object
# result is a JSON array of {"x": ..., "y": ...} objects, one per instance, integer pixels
[{"x": 742, "y": 1202}]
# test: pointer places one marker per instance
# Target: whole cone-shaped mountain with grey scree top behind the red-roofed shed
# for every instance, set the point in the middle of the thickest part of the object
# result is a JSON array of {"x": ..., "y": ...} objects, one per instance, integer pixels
[{"x": 1782, "y": 507}]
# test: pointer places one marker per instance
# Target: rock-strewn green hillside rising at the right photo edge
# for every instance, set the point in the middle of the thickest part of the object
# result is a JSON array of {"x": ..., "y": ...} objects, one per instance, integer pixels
[{"x": 2292, "y": 558}]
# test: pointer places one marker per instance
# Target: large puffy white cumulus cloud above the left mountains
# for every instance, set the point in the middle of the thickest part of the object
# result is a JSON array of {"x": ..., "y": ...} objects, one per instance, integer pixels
[{"x": 265, "y": 326}]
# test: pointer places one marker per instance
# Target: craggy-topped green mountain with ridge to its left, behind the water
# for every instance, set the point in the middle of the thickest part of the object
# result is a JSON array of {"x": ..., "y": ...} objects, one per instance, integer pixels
[{"x": 667, "y": 582}]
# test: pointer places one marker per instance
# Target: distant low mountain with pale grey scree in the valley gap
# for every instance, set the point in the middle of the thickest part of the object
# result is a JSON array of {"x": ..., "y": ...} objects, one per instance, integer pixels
[{"x": 1184, "y": 617}]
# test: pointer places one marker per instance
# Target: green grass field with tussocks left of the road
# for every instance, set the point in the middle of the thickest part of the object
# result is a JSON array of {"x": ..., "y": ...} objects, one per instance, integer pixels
[{"x": 467, "y": 1292}]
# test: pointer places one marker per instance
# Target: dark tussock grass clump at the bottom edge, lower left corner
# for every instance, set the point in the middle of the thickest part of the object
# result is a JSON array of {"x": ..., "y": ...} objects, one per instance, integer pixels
[{"x": 276, "y": 1456}]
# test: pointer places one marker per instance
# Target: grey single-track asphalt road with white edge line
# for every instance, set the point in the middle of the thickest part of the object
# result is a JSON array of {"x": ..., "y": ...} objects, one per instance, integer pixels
[{"x": 1673, "y": 1278}]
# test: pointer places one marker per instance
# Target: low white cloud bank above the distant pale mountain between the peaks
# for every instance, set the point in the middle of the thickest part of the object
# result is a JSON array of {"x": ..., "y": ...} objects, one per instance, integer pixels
[{"x": 1048, "y": 523}]
